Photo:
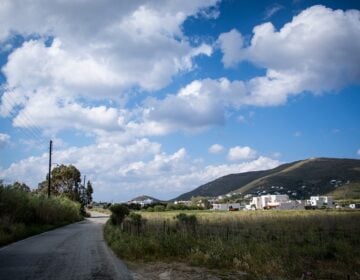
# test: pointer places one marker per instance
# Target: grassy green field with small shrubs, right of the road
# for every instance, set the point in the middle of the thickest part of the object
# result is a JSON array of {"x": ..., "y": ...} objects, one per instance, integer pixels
[{"x": 262, "y": 243}]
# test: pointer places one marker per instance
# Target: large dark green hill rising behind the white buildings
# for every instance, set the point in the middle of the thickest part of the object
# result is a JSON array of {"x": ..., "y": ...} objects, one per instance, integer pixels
[{"x": 299, "y": 179}]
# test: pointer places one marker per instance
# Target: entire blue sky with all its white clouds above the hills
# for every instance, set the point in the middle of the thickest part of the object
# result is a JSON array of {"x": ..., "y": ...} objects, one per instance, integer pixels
[{"x": 160, "y": 97}]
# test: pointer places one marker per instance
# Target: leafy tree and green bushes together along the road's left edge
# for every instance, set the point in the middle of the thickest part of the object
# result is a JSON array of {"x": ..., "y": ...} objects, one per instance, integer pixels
[{"x": 24, "y": 212}]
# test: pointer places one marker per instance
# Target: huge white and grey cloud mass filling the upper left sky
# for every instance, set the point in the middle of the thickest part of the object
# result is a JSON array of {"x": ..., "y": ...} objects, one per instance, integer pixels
[{"x": 74, "y": 63}]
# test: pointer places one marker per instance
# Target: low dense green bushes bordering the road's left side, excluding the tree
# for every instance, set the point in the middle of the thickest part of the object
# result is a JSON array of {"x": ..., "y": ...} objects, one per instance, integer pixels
[{"x": 23, "y": 213}]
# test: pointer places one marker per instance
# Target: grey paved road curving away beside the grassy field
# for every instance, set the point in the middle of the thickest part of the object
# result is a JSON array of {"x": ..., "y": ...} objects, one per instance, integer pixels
[{"x": 76, "y": 251}]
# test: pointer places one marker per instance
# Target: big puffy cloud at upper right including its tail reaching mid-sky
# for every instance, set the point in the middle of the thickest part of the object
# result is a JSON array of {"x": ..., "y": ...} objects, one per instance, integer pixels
[{"x": 317, "y": 44}]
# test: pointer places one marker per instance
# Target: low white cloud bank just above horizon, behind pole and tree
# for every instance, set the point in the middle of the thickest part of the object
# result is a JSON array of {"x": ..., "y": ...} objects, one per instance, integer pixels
[{"x": 124, "y": 171}]
